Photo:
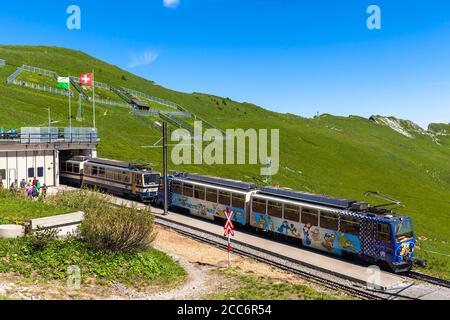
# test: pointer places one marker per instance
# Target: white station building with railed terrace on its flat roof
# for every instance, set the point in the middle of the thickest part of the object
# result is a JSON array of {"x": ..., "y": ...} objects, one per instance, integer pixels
[{"x": 37, "y": 152}]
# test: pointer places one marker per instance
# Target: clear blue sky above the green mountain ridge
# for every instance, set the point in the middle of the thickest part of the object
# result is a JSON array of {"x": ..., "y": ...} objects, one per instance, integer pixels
[{"x": 298, "y": 56}]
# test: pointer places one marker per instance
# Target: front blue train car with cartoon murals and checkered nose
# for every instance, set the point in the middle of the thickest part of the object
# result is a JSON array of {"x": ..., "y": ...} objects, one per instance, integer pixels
[{"x": 337, "y": 226}]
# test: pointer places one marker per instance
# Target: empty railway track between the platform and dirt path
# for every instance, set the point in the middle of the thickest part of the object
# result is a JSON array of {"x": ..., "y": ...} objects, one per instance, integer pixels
[{"x": 319, "y": 277}]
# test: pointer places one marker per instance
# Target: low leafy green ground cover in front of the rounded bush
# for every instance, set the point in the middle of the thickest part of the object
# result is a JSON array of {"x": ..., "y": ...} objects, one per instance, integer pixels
[{"x": 52, "y": 261}]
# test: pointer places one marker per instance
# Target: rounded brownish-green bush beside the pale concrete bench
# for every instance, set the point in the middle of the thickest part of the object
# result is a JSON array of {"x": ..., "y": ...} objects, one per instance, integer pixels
[{"x": 118, "y": 229}]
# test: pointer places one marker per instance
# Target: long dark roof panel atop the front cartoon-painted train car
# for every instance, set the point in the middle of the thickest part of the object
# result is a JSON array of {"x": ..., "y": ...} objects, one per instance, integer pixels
[{"x": 308, "y": 197}]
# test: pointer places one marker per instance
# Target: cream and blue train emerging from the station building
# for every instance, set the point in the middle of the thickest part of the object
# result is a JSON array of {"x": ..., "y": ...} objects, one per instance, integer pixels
[{"x": 116, "y": 177}]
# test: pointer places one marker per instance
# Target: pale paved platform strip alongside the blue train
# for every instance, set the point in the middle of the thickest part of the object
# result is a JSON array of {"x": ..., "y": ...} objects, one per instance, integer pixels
[{"x": 384, "y": 280}]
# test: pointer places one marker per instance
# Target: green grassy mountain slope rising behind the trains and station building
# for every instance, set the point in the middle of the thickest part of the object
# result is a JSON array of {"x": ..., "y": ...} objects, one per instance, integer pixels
[{"x": 333, "y": 155}]
